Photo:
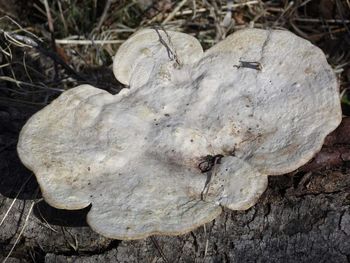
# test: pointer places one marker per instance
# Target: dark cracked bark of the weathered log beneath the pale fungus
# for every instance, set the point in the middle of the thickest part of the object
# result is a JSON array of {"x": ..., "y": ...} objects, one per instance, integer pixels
[{"x": 302, "y": 217}]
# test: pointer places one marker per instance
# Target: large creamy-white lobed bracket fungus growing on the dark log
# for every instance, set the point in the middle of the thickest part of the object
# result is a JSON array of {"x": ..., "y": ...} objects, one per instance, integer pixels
[{"x": 194, "y": 132}]
